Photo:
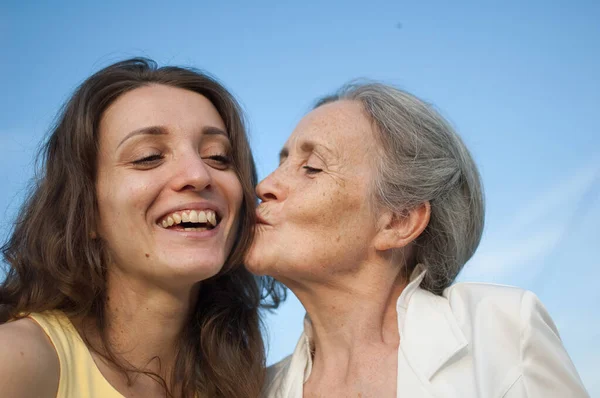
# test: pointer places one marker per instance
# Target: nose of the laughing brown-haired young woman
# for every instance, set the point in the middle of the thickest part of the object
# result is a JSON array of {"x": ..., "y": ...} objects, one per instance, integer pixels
[{"x": 192, "y": 174}]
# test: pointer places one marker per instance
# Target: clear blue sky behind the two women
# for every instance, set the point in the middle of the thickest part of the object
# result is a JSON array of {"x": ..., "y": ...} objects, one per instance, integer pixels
[{"x": 518, "y": 80}]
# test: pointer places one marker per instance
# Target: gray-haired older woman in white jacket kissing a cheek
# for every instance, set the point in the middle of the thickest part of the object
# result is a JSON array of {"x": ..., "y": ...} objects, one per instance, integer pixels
[{"x": 373, "y": 211}]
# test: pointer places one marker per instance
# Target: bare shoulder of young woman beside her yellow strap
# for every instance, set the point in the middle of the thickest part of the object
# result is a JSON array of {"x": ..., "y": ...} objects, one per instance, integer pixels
[{"x": 28, "y": 361}]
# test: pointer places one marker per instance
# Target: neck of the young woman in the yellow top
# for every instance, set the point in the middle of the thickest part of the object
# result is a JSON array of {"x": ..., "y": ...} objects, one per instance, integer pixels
[{"x": 144, "y": 323}]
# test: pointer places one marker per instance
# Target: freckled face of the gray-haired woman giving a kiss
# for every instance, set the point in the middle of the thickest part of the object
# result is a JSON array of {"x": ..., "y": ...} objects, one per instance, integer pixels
[{"x": 316, "y": 215}]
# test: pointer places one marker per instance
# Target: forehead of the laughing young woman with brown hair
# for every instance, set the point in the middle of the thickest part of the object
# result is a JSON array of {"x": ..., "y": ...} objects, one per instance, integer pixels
[{"x": 158, "y": 105}]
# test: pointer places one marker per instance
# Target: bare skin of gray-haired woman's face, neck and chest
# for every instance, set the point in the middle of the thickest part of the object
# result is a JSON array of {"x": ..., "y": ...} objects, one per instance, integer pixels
[{"x": 322, "y": 237}]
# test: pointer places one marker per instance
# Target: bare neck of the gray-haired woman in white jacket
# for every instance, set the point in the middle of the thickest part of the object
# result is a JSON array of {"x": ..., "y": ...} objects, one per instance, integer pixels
[{"x": 353, "y": 314}]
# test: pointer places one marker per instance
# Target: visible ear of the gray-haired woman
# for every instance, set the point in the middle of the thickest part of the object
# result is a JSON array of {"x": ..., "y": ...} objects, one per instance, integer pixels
[{"x": 398, "y": 230}]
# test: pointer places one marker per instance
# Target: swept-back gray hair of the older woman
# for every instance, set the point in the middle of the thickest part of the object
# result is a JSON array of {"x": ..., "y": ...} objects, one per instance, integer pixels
[{"x": 424, "y": 160}]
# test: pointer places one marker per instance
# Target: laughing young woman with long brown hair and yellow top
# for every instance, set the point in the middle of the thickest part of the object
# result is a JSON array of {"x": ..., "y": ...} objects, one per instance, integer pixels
[{"x": 125, "y": 273}]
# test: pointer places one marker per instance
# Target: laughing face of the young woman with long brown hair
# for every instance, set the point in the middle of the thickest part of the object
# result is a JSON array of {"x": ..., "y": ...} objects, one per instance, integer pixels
[{"x": 168, "y": 197}]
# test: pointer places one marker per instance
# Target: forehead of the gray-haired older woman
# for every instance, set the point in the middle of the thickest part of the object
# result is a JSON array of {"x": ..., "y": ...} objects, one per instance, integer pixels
[{"x": 341, "y": 126}]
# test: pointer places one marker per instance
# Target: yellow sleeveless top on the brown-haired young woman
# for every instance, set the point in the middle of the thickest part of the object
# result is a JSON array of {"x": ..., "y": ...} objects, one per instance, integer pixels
[{"x": 79, "y": 375}]
